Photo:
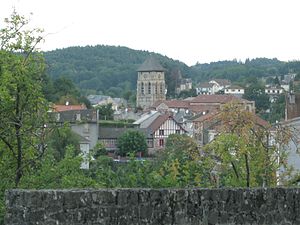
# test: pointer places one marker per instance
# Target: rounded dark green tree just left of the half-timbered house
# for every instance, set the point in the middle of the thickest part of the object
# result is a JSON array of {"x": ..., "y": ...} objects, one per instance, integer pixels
[{"x": 131, "y": 141}]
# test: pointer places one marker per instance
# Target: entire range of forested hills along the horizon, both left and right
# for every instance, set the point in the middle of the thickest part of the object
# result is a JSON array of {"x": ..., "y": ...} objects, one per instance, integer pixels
[{"x": 111, "y": 70}]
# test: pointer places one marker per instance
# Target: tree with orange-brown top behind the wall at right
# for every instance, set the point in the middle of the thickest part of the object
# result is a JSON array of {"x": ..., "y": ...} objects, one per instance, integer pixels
[{"x": 244, "y": 150}]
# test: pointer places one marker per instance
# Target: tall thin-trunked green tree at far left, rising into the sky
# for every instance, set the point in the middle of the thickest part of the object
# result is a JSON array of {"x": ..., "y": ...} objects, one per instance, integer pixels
[{"x": 23, "y": 108}]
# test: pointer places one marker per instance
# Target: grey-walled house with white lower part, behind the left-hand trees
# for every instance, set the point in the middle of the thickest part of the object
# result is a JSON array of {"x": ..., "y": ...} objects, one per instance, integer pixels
[{"x": 82, "y": 122}]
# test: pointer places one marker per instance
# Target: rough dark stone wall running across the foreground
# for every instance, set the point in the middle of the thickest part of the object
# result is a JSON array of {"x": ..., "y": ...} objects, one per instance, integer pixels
[{"x": 154, "y": 206}]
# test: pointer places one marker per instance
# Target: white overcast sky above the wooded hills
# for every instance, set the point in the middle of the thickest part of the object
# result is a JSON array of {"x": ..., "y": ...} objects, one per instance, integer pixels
[{"x": 187, "y": 30}]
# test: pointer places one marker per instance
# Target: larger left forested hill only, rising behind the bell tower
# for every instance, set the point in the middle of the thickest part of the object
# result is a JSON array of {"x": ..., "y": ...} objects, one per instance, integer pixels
[{"x": 106, "y": 69}]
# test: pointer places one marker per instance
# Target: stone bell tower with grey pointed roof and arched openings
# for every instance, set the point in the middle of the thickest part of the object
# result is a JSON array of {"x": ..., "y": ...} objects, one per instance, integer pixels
[{"x": 150, "y": 83}]
